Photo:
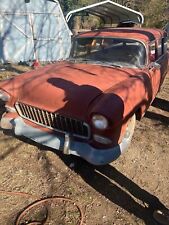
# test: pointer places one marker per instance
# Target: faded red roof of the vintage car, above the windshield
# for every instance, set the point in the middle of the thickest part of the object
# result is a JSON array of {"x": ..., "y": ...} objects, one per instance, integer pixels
[{"x": 142, "y": 34}]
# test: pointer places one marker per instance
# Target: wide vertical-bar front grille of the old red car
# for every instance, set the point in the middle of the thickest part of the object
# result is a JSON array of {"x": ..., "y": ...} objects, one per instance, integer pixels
[{"x": 54, "y": 121}]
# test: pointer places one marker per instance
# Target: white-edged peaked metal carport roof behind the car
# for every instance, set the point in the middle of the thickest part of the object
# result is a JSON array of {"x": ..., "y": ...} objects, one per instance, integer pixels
[{"x": 110, "y": 12}]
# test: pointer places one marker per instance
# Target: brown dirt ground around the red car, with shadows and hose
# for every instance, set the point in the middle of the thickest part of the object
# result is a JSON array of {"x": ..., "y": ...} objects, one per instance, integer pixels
[{"x": 122, "y": 193}]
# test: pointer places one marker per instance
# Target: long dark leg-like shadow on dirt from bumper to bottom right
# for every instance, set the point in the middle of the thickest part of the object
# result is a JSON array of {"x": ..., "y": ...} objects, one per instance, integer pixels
[{"x": 119, "y": 189}]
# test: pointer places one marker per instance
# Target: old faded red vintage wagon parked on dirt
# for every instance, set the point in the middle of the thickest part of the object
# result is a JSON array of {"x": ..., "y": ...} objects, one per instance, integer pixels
[{"x": 88, "y": 104}]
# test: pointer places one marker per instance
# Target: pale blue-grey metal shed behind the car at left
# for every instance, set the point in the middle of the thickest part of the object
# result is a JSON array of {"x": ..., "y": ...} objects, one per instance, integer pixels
[{"x": 33, "y": 29}]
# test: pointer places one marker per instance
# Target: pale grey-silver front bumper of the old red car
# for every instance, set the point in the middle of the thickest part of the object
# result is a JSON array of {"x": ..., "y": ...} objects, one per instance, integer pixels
[{"x": 68, "y": 145}]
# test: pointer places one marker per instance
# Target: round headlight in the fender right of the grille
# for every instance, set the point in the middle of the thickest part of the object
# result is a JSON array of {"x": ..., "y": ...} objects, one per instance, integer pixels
[{"x": 100, "y": 122}]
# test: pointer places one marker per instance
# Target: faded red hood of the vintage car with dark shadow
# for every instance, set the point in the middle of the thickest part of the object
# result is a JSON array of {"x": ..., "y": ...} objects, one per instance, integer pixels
[{"x": 65, "y": 87}]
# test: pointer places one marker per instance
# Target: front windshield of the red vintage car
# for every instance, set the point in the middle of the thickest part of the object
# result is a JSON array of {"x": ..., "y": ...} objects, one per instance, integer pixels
[{"x": 114, "y": 51}]
